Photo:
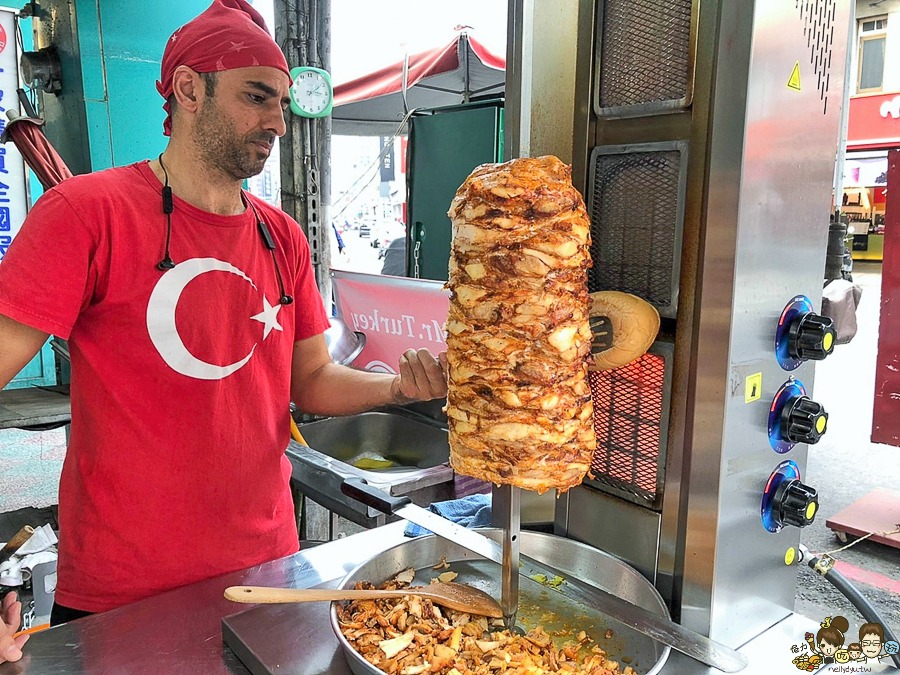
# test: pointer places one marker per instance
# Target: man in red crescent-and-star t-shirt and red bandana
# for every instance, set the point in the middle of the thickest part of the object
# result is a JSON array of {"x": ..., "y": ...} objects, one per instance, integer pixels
[{"x": 193, "y": 320}]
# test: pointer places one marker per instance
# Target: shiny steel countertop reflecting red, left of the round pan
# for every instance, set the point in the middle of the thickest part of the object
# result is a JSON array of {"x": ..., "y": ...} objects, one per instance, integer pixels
[{"x": 181, "y": 631}]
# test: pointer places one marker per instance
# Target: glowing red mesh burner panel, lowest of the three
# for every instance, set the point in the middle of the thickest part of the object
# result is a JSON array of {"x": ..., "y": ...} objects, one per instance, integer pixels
[{"x": 628, "y": 407}]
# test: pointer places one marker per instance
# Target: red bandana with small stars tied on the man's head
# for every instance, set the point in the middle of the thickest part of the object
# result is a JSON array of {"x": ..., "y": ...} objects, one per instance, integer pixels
[{"x": 230, "y": 34}]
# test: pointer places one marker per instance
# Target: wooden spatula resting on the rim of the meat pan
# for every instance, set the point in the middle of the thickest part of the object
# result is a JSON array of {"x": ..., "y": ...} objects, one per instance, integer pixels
[{"x": 455, "y": 596}]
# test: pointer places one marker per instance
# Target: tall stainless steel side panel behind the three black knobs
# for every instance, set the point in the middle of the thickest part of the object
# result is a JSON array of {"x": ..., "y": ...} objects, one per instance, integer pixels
[{"x": 766, "y": 230}]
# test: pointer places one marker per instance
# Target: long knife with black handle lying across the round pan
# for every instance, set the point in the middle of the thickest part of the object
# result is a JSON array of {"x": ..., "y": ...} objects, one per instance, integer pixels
[{"x": 655, "y": 626}]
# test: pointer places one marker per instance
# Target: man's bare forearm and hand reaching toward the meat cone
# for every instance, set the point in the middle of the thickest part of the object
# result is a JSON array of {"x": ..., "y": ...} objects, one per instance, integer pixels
[{"x": 321, "y": 387}]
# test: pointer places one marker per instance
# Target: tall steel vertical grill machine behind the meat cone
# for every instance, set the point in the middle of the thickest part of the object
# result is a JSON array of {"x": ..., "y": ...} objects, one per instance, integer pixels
[{"x": 762, "y": 127}]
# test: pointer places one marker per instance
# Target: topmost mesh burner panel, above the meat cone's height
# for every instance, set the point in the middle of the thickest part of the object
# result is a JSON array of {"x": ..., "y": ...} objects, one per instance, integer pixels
[{"x": 645, "y": 52}]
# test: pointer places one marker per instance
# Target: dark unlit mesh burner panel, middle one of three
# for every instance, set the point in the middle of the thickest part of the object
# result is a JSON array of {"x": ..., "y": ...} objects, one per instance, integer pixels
[{"x": 634, "y": 218}]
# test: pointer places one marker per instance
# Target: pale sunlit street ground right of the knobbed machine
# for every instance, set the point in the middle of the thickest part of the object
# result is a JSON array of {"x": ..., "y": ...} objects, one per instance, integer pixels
[{"x": 845, "y": 465}]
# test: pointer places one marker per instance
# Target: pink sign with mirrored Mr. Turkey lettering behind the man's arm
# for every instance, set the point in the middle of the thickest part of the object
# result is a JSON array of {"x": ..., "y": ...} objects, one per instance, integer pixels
[{"x": 394, "y": 313}]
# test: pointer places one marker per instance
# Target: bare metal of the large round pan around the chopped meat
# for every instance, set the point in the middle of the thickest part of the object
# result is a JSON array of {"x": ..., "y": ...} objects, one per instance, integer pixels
[{"x": 536, "y": 600}]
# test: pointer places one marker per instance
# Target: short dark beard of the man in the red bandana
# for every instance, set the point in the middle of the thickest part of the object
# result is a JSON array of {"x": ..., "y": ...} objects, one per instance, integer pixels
[{"x": 223, "y": 150}]
